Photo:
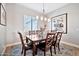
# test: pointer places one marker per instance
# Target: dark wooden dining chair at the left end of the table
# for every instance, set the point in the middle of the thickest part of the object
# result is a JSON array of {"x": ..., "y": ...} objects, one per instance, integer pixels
[{"x": 26, "y": 46}]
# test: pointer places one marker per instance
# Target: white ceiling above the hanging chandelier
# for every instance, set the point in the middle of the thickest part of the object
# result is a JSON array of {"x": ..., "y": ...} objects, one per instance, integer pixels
[{"x": 49, "y": 7}]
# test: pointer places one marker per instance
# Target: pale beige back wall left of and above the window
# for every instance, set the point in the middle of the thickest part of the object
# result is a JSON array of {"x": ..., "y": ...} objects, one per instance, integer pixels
[{"x": 15, "y": 14}]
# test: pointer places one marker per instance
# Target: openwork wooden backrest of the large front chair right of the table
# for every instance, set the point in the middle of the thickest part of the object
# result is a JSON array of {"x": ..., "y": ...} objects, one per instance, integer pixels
[{"x": 49, "y": 39}]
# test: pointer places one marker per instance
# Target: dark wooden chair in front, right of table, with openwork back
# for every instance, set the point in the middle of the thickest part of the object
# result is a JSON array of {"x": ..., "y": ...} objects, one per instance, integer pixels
[{"x": 44, "y": 46}]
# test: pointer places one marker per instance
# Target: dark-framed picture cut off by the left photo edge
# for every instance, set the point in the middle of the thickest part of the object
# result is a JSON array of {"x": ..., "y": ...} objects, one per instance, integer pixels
[{"x": 2, "y": 15}]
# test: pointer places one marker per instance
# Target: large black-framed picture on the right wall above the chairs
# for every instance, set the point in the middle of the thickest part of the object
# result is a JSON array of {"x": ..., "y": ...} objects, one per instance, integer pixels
[{"x": 59, "y": 23}]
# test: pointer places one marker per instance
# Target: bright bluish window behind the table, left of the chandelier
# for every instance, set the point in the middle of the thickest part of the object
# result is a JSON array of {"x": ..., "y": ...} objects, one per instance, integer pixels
[{"x": 30, "y": 23}]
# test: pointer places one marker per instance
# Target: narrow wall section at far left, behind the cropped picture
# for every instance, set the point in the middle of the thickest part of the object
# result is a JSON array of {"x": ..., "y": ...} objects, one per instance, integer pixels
[{"x": 2, "y": 36}]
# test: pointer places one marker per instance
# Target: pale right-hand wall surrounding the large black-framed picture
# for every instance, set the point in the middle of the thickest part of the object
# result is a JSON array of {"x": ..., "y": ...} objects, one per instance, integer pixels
[{"x": 72, "y": 35}]
